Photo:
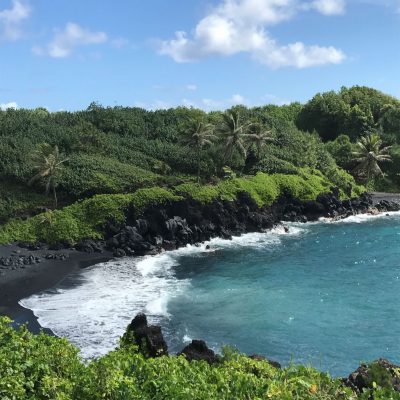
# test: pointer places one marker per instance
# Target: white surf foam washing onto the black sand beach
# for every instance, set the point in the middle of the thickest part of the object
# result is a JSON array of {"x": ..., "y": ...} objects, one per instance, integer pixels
[{"x": 94, "y": 313}]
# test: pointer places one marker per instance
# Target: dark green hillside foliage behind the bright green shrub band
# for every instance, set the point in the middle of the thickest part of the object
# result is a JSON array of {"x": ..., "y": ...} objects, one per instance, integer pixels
[{"x": 112, "y": 150}]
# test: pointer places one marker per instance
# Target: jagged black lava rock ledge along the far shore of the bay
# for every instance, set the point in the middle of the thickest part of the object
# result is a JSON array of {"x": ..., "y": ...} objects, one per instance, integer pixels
[{"x": 189, "y": 221}]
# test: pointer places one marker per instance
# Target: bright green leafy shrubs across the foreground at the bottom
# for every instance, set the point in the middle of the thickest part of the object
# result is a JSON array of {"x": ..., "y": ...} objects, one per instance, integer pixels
[{"x": 46, "y": 367}]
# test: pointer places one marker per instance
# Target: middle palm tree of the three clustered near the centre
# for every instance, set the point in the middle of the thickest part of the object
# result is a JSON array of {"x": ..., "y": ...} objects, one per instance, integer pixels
[{"x": 234, "y": 134}]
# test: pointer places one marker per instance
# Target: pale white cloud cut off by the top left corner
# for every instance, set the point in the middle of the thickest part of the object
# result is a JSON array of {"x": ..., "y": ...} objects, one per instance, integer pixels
[{"x": 11, "y": 19}]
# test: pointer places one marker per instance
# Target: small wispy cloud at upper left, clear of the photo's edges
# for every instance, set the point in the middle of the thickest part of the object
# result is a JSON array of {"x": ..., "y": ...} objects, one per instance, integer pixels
[{"x": 66, "y": 40}]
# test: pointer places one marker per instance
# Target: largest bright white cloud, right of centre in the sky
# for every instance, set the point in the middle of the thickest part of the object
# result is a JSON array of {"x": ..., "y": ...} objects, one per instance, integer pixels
[{"x": 238, "y": 26}]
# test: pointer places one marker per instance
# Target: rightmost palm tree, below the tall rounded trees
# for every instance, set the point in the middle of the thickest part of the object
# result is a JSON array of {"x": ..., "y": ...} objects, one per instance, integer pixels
[{"x": 369, "y": 155}]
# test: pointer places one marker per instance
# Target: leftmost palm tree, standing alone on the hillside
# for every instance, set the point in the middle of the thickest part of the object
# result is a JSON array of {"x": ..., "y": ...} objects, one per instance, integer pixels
[{"x": 48, "y": 164}]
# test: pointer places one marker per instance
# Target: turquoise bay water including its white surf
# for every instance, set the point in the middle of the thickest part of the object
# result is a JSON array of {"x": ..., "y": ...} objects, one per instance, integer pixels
[{"x": 326, "y": 294}]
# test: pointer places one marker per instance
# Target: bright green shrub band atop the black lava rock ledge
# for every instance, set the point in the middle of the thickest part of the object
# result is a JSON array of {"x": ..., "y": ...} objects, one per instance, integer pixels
[{"x": 88, "y": 218}]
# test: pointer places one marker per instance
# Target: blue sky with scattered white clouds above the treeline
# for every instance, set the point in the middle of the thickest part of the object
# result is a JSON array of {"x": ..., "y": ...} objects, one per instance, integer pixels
[{"x": 211, "y": 54}]
